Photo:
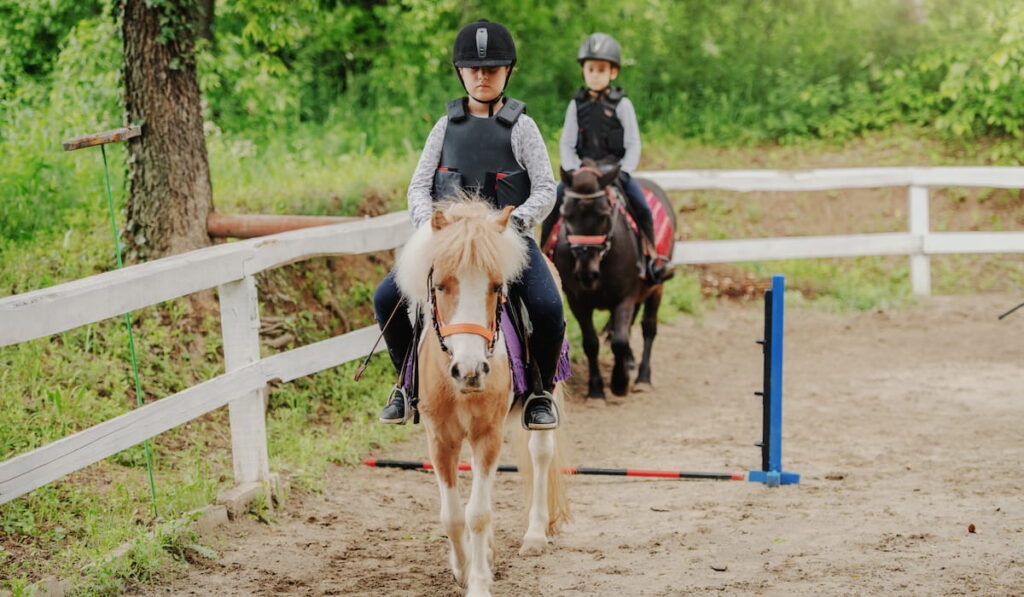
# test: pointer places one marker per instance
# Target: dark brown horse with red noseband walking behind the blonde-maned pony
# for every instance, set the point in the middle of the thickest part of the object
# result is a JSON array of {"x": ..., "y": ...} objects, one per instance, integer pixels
[{"x": 599, "y": 258}]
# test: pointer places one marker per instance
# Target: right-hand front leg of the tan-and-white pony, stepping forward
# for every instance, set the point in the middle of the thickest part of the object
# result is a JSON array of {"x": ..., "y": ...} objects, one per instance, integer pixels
[{"x": 487, "y": 447}]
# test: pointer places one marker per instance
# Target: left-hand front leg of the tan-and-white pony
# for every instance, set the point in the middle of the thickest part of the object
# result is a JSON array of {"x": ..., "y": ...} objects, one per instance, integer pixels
[{"x": 445, "y": 456}]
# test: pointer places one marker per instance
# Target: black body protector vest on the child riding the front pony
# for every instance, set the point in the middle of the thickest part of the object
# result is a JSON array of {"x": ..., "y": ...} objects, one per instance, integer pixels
[{"x": 478, "y": 157}]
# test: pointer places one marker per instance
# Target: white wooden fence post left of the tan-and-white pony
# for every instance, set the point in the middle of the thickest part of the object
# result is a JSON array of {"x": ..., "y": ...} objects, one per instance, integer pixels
[{"x": 240, "y": 325}]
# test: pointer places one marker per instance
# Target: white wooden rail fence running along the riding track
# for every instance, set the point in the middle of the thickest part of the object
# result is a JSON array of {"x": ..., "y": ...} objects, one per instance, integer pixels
[{"x": 231, "y": 269}]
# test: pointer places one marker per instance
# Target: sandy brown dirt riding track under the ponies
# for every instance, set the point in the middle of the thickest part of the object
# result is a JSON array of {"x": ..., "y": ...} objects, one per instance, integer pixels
[{"x": 907, "y": 428}]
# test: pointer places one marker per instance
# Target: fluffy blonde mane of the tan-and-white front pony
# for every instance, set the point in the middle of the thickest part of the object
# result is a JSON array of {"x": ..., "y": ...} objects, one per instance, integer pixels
[{"x": 473, "y": 241}]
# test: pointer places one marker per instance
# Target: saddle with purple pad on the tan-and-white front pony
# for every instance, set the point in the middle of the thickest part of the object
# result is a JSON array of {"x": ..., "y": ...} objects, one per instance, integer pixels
[{"x": 516, "y": 331}]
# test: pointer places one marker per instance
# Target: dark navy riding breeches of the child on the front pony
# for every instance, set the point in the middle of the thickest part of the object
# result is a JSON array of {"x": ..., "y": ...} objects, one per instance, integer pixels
[{"x": 537, "y": 288}]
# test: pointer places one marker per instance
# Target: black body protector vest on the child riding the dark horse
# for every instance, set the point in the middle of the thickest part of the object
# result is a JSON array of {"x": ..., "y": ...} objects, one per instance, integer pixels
[{"x": 601, "y": 136}]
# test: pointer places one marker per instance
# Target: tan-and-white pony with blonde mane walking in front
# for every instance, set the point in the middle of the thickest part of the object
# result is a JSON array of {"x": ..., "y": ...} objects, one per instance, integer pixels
[{"x": 457, "y": 272}]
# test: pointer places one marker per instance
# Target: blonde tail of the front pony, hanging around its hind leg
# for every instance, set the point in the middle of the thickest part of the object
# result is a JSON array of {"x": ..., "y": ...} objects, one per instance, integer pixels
[{"x": 559, "y": 504}]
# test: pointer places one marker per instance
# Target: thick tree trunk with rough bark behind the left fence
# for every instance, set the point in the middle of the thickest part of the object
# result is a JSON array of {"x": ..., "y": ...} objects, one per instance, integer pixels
[{"x": 169, "y": 176}]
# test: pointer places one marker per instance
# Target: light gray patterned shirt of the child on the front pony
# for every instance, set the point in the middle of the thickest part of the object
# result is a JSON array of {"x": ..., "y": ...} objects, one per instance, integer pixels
[{"x": 530, "y": 152}]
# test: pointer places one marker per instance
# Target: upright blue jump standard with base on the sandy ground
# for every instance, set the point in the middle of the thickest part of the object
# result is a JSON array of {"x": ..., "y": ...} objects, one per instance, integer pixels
[{"x": 772, "y": 445}]
